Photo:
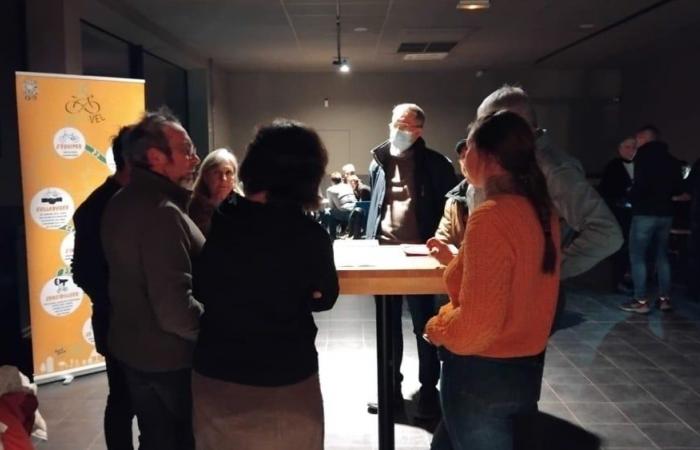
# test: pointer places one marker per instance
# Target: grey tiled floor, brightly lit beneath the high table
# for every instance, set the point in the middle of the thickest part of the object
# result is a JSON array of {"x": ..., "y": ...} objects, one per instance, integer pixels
[{"x": 632, "y": 380}]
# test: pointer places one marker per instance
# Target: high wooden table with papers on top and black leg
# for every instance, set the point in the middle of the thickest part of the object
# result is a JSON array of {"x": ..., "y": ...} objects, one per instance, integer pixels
[{"x": 385, "y": 270}]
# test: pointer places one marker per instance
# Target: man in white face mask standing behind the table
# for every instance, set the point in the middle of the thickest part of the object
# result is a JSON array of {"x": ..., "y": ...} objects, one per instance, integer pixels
[{"x": 409, "y": 182}]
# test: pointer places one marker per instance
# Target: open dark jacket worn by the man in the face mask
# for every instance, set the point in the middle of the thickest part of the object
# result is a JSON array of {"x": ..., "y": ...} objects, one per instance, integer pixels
[{"x": 434, "y": 177}]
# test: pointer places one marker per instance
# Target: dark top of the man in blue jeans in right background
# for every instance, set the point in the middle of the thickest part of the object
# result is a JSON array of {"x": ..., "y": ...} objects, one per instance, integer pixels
[{"x": 657, "y": 177}]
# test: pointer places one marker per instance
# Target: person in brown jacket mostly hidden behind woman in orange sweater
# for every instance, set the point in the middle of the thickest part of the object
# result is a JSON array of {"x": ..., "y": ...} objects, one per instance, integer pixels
[{"x": 454, "y": 218}]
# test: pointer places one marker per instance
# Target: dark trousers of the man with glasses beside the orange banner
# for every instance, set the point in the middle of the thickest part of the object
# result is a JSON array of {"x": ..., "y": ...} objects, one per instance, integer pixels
[{"x": 163, "y": 405}]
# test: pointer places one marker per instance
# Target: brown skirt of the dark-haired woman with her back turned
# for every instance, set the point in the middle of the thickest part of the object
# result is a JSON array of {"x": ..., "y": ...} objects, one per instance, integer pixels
[{"x": 241, "y": 417}]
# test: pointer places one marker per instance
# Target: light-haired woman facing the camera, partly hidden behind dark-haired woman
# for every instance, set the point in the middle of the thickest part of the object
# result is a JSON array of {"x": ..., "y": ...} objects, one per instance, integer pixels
[{"x": 215, "y": 181}]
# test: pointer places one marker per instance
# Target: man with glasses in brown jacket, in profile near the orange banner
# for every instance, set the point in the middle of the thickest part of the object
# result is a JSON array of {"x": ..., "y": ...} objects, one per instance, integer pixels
[{"x": 149, "y": 243}]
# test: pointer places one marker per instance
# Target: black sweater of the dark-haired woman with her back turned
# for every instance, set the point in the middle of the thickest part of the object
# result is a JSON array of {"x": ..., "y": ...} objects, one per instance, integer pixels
[{"x": 256, "y": 276}]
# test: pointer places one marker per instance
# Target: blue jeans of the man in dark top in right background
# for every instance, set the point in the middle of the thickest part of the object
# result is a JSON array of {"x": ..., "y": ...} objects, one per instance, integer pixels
[{"x": 645, "y": 232}]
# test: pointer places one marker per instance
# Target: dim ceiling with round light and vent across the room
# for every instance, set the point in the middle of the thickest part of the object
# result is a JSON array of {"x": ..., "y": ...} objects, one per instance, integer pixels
[{"x": 300, "y": 35}]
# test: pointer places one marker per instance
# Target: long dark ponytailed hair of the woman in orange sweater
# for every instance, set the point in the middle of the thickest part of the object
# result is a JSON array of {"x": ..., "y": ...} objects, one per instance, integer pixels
[{"x": 508, "y": 138}]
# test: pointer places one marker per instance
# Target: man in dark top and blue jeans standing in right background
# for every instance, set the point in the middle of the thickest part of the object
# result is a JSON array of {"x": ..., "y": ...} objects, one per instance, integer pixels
[{"x": 657, "y": 178}]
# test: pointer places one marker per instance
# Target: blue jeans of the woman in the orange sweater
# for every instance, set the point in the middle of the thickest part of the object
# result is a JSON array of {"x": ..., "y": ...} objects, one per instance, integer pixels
[{"x": 482, "y": 398}]
